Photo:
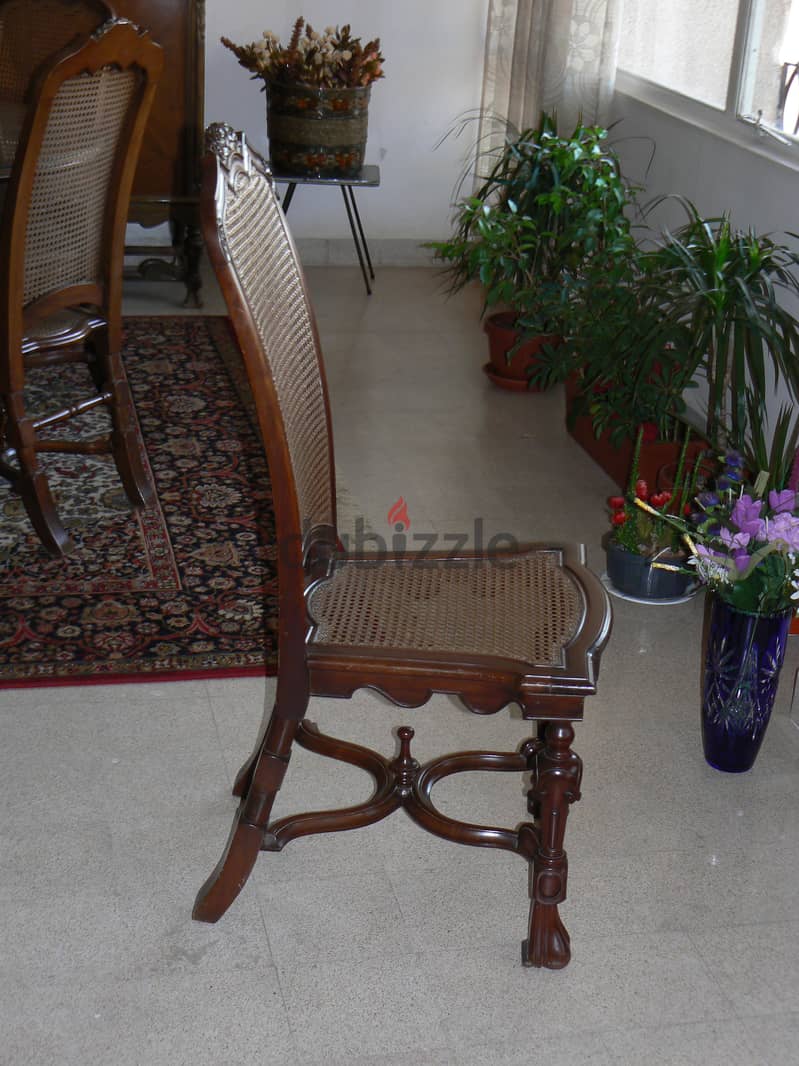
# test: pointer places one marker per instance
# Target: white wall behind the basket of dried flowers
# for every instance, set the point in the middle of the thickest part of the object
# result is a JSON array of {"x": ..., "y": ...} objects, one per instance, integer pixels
[{"x": 434, "y": 72}]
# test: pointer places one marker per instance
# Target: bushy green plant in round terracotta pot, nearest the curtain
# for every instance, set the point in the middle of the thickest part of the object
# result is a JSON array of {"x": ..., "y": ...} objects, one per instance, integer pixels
[{"x": 545, "y": 208}]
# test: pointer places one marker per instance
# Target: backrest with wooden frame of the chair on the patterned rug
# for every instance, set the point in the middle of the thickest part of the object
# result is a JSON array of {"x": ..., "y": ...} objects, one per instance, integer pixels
[{"x": 72, "y": 180}]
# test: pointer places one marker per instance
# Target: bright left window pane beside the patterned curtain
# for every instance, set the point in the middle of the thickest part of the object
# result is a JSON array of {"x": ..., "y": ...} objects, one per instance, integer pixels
[{"x": 684, "y": 45}]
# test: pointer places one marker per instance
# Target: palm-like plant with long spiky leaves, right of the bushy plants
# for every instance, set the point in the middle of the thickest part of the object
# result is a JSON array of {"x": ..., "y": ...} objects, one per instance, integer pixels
[{"x": 724, "y": 286}]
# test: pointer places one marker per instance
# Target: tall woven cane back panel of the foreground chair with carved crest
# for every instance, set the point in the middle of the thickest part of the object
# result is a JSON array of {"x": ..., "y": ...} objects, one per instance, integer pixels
[{"x": 253, "y": 233}]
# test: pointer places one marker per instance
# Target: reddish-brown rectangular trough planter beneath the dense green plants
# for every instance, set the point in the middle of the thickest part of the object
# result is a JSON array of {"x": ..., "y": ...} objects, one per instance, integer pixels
[{"x": 615, "y": 460}]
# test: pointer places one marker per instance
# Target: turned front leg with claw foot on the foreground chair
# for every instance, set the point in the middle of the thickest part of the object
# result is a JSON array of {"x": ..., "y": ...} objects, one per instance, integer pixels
[{"x": 557, "y": 779}]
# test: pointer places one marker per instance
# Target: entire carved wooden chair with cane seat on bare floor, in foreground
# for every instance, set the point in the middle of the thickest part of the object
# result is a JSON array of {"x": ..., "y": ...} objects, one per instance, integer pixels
[{"x": 526, "y": 626}]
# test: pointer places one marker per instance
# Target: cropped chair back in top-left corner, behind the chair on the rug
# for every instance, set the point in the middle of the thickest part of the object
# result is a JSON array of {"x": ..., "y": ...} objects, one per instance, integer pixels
[{"x": 34, "y": 31}]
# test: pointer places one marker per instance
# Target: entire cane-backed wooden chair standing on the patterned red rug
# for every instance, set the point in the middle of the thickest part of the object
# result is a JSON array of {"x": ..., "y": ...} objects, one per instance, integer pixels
[{"x": 61, "y": 260}]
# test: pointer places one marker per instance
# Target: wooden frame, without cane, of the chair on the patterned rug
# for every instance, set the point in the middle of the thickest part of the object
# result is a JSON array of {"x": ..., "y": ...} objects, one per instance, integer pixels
[{"x": 25, "y": 341}]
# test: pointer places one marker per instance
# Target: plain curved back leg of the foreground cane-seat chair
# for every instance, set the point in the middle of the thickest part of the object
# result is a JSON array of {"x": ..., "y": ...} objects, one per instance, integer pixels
[{"x": 251, "y": 821}]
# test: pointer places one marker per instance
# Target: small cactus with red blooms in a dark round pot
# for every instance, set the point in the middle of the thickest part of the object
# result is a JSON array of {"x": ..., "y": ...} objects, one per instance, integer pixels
[{"x": 646, "y": 558}]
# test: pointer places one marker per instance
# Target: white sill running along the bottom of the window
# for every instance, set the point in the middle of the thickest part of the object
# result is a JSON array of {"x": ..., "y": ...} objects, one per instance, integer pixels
[{"x": 711, "y": 121}]
